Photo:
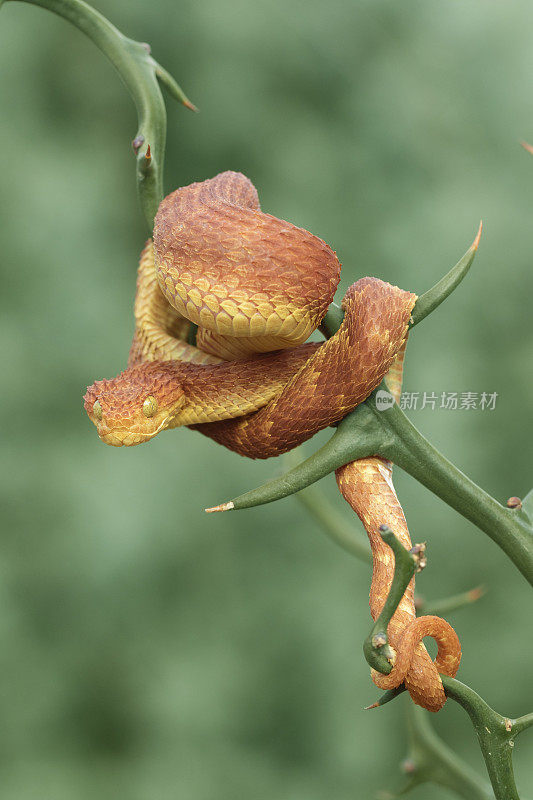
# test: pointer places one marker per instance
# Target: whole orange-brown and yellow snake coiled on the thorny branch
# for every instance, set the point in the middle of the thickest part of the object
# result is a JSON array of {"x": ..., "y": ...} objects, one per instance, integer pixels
[{"x": 227, "y": 298}]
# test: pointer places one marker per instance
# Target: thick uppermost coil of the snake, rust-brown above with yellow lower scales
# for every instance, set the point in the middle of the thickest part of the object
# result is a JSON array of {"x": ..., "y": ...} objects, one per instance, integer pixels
[{"x": 236, "y": 271}]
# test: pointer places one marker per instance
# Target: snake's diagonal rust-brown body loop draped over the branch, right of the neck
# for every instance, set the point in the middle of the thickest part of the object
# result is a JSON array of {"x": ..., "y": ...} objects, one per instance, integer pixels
[{"x": 340, "y": 375}]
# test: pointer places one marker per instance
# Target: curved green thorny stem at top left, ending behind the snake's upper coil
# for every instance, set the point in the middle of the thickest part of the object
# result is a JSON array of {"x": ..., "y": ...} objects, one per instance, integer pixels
[{"x": 140, "y": 73}]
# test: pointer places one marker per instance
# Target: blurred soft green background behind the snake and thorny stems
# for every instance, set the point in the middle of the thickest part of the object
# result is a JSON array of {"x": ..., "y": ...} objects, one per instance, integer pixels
[{"x": 149, "y": 651}]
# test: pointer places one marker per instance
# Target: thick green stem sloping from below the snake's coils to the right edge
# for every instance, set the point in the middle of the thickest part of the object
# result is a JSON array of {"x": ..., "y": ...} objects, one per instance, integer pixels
[{"x": 413, "y": 453}]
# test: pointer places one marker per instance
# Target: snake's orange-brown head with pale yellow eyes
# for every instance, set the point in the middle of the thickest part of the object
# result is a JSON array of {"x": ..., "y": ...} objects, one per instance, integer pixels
[{"x": 136, "y": 405}]
